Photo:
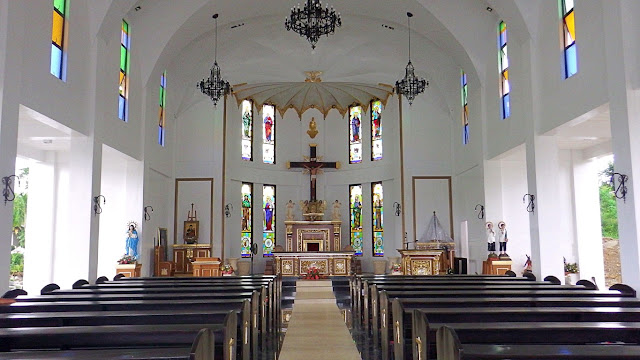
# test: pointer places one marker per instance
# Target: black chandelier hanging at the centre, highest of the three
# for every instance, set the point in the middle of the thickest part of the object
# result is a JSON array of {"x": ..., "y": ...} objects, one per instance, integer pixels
[{"x": 313, "y": 21}]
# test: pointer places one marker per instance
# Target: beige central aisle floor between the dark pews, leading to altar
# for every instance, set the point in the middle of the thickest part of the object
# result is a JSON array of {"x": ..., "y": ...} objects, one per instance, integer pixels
[{"x": 317, "y": 329}]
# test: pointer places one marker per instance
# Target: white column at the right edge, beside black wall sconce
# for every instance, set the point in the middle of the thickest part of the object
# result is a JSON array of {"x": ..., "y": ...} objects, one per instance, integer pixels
[{"x": 621, "y": 33}]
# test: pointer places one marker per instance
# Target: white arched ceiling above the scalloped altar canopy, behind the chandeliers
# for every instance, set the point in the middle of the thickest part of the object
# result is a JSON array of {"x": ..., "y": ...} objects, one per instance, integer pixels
[{"x": 371, "y": 45}]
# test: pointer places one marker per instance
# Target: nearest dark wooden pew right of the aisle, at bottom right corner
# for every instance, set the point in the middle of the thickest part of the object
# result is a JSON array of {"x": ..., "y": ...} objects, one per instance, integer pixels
[{"x": 451, "y": 348}]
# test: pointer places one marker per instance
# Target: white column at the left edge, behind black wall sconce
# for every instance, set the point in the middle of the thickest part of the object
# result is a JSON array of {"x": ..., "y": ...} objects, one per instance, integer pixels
[{"x": 11, "y": 34}]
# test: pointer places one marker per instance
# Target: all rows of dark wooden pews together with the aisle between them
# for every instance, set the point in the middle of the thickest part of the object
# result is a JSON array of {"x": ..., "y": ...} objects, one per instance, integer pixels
[{"x": 390, "y": 317}]
